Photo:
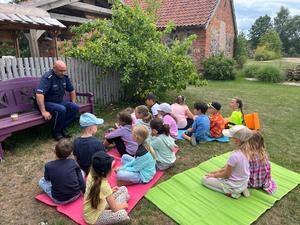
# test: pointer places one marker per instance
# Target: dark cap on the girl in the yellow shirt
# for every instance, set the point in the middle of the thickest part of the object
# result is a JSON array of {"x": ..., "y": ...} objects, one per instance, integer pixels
[{"x": 101, "y": 163}]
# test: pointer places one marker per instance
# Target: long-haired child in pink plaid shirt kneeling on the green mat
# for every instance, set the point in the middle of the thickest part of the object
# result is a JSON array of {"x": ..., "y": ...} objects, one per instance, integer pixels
[{"x": 259, "y": 164}]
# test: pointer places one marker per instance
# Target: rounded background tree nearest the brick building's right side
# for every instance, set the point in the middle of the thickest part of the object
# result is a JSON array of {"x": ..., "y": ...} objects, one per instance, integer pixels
[{"x": 260, "y": 26}]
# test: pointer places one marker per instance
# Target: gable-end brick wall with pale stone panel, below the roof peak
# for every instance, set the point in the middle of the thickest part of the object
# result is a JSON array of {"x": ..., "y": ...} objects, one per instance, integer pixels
[{"x": 220, "y": 33}]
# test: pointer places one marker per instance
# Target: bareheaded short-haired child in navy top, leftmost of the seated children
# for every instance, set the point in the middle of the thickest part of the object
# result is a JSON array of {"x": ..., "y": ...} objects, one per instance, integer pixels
[{"x": 62, "y": 180}]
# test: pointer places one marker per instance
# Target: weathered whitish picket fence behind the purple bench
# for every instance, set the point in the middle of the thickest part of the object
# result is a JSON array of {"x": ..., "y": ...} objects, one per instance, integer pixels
[{"x": 85, "y": 76}]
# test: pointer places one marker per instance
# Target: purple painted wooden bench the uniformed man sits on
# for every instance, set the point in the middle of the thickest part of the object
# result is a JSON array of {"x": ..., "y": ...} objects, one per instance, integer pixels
[{"x": 16, "y": 97}]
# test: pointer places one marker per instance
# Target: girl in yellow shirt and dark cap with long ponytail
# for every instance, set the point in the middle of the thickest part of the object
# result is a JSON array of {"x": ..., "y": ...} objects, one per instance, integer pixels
[{"x": 103, "y": 204}]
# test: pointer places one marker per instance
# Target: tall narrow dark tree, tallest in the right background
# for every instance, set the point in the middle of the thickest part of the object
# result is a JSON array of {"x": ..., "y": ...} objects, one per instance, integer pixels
[{"x": 281, "y": 25}]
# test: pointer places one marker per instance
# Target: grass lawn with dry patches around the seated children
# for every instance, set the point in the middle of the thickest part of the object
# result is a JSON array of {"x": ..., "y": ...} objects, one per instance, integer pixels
[{"x": 278, "y": 107}]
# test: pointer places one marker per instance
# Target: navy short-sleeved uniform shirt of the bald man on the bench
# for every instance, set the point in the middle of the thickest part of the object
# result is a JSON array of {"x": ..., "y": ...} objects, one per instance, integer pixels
[{"x": 53, "y": 87}]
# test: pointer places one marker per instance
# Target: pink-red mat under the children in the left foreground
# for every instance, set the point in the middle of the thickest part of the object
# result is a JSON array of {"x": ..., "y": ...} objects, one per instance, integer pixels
[{"x": 74, "y": 210}]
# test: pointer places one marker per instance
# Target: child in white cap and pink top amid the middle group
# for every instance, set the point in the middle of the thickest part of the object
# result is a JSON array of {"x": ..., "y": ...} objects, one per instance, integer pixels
[{"x": 165, "y": 111}]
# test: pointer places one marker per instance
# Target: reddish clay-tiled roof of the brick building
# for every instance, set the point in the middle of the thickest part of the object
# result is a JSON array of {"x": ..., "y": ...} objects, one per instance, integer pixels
[{"x": 183, "y": 12}]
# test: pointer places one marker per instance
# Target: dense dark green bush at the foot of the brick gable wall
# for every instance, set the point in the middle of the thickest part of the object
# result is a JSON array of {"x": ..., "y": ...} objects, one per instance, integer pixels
[{"x": 218, "y": 68}]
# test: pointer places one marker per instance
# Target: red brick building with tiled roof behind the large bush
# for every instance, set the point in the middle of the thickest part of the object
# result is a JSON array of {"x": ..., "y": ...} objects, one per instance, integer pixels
[{"x": 213, "y": 21}]
